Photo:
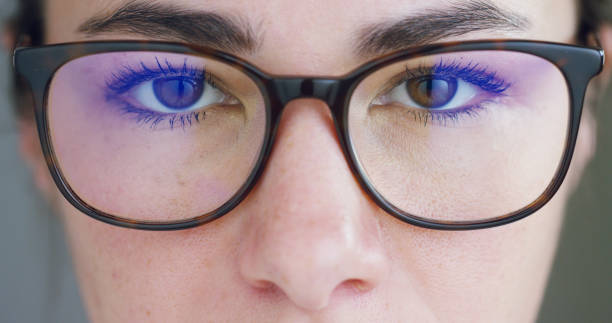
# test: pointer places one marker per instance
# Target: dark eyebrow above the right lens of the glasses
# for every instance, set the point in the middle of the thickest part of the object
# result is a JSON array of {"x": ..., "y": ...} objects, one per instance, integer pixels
[{"x": 431, "y": 25}]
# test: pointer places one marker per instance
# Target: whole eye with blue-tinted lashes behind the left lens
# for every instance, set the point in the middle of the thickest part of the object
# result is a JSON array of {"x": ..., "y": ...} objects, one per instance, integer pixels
[{"x": 167, "y": 94}]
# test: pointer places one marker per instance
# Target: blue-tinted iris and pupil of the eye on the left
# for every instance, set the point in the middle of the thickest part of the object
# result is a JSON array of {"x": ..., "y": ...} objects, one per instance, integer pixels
[{"x": 177, "y": 92}]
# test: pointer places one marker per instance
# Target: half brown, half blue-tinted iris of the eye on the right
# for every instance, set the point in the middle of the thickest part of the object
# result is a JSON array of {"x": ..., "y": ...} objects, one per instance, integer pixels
[{"x": 432, "y": 92}]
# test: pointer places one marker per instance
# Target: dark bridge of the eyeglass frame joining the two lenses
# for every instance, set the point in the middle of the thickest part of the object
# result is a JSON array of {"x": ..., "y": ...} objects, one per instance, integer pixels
[{"x": 287, "y": 89}]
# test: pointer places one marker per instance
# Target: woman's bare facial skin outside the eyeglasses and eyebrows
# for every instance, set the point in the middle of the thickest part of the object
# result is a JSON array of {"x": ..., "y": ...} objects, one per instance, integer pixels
[{"x": 308, "y": 244}]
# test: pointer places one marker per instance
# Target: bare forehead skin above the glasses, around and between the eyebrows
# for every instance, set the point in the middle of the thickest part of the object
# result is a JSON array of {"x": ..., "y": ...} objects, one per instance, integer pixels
[{"x": 311, "y": 35}]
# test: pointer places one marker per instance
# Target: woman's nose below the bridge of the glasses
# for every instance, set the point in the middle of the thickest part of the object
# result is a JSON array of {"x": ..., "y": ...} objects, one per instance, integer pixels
[{"x": 310, "y": 231}]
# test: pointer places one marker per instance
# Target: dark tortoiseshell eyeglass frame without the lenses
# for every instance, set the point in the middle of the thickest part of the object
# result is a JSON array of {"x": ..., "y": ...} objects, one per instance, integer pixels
[{"x": 39, "y": 64}]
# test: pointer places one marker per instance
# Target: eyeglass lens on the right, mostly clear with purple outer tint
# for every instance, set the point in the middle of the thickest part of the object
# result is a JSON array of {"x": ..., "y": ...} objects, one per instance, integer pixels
[{"x": 464, "y": 136}]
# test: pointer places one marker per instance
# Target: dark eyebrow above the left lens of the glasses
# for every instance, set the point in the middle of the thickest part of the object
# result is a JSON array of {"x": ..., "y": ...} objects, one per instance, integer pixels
[{"x": 170, "y": 22}]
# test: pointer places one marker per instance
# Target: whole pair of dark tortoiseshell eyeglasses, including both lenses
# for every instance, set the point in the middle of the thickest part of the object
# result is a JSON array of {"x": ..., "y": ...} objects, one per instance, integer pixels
[{"x": 165, "y": 136}]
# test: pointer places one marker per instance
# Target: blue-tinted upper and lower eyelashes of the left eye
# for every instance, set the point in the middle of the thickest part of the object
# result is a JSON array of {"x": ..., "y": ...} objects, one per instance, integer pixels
[{"x": 129, "y": 77}]
